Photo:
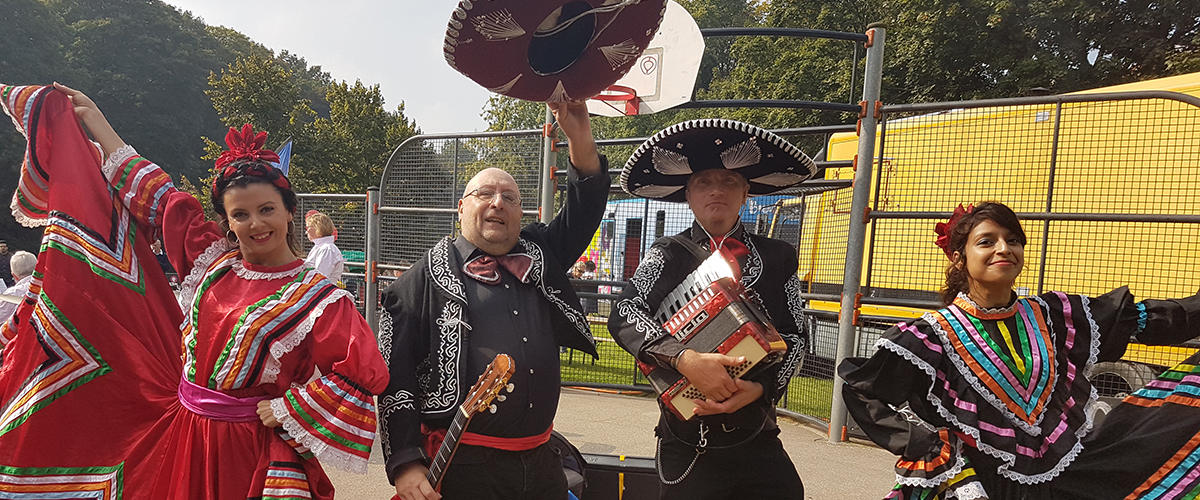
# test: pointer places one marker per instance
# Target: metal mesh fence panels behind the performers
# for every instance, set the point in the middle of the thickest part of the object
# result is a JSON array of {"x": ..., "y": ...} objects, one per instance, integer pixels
[{"x": 1105, "y": 184}]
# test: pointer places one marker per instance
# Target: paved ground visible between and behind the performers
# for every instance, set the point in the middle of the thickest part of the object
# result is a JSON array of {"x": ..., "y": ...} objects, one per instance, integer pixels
[{"x": 623, "y": 425}]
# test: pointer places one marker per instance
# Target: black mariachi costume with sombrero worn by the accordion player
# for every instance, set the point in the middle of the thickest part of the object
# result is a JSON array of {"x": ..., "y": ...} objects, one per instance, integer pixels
[{"x": 733, "y": 455}]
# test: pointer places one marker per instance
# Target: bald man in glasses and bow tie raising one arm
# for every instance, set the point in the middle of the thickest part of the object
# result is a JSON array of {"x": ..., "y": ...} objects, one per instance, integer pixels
[{"x": 496, "y": 288}]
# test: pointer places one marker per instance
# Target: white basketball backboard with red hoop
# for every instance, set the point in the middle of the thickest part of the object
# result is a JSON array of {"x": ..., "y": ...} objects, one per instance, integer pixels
[{"x": 665, "y": 74}]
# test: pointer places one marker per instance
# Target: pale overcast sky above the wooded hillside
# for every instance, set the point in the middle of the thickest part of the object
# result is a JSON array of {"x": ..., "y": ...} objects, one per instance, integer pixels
[{"x": 397, "y": 45}]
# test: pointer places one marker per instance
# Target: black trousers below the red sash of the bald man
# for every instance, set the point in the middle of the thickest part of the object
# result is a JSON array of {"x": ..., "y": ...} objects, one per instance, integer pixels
[{"x": 481, "y": 473}]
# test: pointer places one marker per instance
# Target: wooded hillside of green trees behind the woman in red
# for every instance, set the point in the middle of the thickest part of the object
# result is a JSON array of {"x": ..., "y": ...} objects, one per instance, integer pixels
[{"x": 149, "y": 68}]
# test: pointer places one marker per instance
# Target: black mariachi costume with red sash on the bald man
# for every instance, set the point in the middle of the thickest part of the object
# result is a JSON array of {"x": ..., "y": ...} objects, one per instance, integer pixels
[{"x": 446, "y": 321}]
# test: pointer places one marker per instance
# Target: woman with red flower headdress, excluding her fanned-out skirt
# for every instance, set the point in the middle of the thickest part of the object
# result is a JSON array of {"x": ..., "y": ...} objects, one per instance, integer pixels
[{"x": 279, "y": 366}]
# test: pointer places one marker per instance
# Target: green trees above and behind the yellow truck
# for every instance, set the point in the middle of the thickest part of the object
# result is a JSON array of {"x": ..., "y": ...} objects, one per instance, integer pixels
[{"x": 963, "y": 50}]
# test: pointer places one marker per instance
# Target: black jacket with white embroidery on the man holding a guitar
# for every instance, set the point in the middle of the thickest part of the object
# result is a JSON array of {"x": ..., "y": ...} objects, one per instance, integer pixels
[{"x": 427, "y": 330}]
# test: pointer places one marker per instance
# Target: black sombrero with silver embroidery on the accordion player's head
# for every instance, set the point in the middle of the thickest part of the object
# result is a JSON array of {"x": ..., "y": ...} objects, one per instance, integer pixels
[{"x": 663, "y": 165}]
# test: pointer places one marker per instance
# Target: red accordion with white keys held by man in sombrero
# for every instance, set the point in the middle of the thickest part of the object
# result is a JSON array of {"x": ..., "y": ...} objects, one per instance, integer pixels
[{"x": 710, "y": 312}]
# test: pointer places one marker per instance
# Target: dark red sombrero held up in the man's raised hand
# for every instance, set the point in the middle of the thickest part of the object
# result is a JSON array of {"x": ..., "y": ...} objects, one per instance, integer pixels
[{"x": 550, "y": 51}]
